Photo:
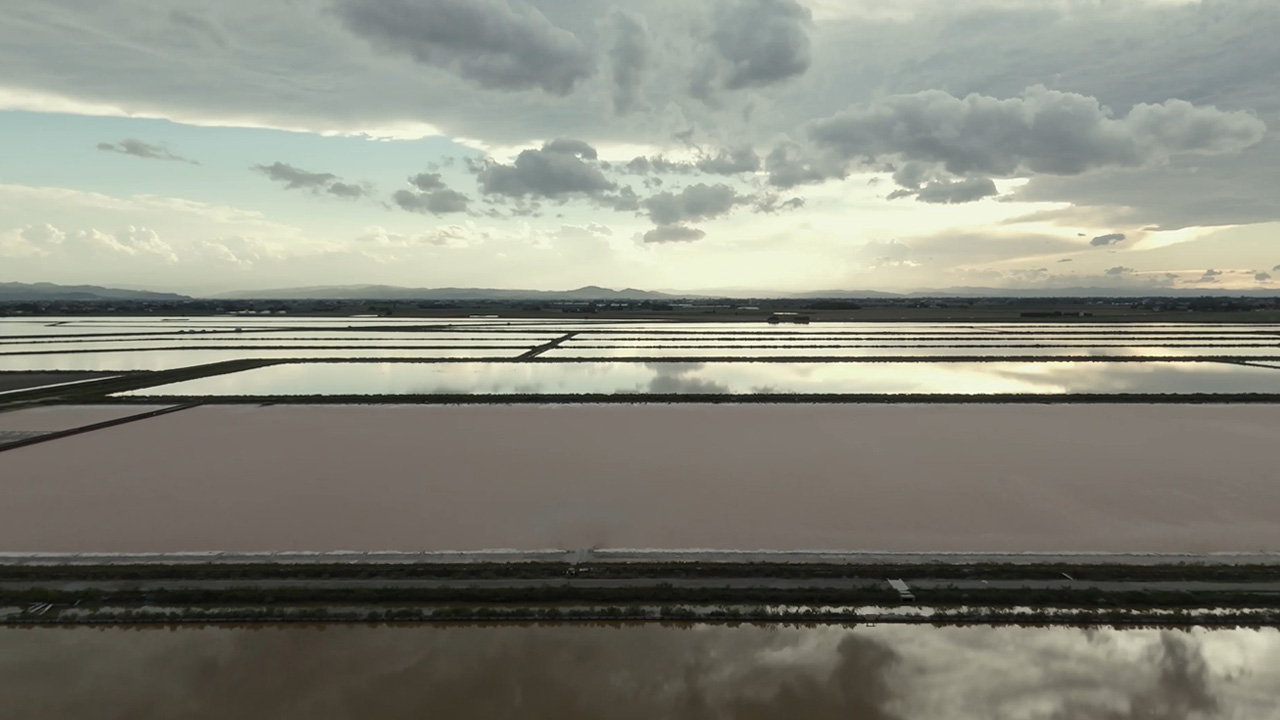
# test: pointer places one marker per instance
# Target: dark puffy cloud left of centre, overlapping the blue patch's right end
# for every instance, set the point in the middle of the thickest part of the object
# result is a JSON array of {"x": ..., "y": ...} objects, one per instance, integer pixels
[{"x": 561, "y": 168}]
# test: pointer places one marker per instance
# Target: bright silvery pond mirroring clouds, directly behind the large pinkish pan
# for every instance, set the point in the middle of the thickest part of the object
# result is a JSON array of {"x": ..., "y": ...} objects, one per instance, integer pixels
[{"x": 551, "y": 379}]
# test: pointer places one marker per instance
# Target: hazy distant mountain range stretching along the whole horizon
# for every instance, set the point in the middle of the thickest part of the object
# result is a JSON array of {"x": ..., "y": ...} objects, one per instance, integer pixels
[{"x": 28, "y": 293}]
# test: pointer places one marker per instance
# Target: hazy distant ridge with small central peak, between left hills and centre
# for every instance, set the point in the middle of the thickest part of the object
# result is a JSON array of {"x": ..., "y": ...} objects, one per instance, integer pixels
[{"x": 394, "y": 293}]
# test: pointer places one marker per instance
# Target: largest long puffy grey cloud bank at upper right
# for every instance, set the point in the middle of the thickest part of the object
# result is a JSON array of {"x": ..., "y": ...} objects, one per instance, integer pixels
[{"x": 1040, "y": 131}]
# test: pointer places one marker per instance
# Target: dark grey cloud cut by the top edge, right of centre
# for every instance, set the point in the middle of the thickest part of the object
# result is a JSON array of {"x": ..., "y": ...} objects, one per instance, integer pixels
[{"x": 761, "y": 43}]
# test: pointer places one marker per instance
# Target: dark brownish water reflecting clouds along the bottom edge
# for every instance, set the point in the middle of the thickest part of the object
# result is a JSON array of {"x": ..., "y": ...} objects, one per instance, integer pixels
[{"x": 697, "y": 673}]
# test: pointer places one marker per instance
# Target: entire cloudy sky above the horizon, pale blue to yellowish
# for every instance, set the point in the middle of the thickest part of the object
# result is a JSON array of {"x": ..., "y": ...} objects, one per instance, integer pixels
[{"x": 688, "y": 145}]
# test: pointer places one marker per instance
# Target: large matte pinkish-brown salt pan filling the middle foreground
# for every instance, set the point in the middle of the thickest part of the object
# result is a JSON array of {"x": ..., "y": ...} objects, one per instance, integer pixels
[{"x": 909, "y": 479}]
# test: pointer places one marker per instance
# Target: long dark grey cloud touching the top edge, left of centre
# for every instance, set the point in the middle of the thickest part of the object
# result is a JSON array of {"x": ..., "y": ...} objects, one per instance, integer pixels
[{"x": 499, "y": 44}]
